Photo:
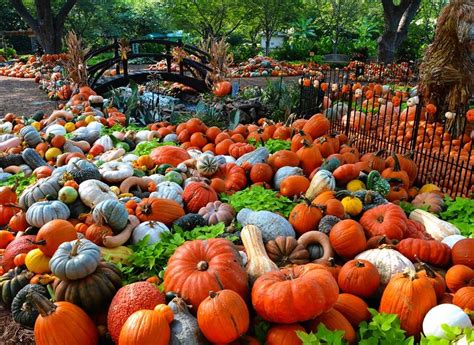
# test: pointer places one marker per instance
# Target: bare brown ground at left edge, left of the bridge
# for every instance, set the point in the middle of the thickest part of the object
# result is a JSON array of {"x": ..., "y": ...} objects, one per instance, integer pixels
[{"x": 23, "y": 97}]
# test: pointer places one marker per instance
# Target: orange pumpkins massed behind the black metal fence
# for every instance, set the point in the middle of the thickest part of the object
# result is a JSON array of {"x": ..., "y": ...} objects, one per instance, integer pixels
[{"x": 379, "y": 113}]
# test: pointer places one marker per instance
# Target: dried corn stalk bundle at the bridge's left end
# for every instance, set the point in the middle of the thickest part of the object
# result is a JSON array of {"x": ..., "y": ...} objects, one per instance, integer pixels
[{"x": 75, "y": 65}]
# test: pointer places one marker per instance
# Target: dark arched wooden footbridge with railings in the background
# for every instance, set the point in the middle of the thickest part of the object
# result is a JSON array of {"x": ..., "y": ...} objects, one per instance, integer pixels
[{"x": 192, "y": 68}]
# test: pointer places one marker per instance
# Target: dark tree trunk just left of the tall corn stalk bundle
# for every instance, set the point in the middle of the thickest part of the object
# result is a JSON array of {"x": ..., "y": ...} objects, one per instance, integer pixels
[{"x": 397, "y": 19}]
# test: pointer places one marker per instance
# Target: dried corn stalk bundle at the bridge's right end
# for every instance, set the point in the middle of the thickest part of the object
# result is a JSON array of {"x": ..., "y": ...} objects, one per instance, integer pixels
[{"x": 220, "y": 58}]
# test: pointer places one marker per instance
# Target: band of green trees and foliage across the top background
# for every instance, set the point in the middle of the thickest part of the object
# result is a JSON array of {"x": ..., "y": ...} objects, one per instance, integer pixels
[{"x": 355, "y": 28}]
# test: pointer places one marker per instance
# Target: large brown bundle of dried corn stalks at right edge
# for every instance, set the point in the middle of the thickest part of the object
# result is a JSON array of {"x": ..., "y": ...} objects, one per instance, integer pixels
[{"x": 447, "y": 70}]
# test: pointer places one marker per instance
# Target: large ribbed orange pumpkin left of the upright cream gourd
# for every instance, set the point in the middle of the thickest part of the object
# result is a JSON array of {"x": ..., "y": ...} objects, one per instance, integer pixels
[{"x": 198, "y": 267}]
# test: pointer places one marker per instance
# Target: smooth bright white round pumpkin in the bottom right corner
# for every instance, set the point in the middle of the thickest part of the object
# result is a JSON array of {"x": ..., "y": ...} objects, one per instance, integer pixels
[{"x": 449, "y": 314}]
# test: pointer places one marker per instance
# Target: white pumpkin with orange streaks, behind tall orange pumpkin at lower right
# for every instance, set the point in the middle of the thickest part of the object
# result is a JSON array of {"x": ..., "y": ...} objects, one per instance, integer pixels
[{"x": 388, "y": 262}]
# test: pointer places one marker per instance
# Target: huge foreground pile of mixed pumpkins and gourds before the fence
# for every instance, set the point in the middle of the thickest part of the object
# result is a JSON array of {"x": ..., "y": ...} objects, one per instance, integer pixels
[{"x": 346, "y": 245}]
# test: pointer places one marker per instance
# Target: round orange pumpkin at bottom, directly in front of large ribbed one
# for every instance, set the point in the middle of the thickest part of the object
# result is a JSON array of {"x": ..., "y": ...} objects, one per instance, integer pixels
[{"x": 223, "y": 316}]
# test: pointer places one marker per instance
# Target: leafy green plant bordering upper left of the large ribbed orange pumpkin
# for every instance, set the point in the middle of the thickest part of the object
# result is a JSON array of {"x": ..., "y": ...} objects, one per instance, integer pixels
[{"x": 150, "y": 260}]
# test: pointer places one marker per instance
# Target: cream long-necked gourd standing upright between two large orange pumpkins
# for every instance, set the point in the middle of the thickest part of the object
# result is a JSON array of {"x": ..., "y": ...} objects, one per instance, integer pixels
[{"x": 258, "y": 261}]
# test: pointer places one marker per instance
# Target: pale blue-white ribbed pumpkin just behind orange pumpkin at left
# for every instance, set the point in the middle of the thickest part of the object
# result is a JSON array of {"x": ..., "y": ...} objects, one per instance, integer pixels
[{"x": 43, "y": 212}]
